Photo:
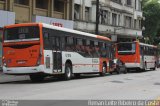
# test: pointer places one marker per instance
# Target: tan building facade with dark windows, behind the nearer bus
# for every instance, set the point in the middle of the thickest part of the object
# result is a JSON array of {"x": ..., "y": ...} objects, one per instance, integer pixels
[{"x": 28, "y": 10}]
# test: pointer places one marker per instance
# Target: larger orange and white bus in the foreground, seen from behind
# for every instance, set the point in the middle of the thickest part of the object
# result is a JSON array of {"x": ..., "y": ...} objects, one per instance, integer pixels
[{"x": 39, "y": 50}]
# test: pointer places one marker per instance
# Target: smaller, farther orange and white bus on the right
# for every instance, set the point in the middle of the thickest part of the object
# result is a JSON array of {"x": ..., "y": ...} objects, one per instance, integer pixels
[{"x": 137, "y": 55}]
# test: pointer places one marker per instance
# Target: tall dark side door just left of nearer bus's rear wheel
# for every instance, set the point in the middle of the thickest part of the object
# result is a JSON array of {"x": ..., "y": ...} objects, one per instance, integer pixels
[{"x": 57, "y": 55}]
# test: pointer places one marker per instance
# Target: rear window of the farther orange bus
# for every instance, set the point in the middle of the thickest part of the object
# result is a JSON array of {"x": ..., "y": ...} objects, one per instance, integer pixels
[{"x": 126, "y": 48}]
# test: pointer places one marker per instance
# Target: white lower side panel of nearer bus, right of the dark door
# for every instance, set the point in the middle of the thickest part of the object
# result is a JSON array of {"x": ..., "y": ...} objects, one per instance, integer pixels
[{"x": 80, "y": 64}]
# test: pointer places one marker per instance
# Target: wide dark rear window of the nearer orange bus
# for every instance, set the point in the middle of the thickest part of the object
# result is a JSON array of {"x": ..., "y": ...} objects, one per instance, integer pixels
[{"x": 22, "y": 33}]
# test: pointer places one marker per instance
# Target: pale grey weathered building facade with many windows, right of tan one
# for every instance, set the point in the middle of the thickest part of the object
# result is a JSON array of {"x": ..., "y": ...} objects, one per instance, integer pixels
[{"x": 118, "y": 19}]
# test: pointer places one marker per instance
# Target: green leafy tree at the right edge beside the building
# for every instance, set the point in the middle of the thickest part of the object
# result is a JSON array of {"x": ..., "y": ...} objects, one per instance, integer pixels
[{"x": 151, "y": 13}]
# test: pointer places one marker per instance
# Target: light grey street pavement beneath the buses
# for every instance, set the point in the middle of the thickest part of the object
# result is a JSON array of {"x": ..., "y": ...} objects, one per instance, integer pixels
[{"x": 131, "y": 86}]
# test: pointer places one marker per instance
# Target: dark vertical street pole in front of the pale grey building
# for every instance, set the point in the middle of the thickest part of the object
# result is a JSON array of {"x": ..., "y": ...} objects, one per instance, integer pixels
[{"x": 97, "y": 17}]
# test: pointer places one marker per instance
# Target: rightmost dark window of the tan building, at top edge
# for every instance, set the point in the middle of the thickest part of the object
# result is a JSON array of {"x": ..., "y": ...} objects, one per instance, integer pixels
[{"x": 59, "y": 5}]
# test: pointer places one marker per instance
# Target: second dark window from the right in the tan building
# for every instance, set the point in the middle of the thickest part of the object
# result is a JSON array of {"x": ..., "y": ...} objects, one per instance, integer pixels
[{"x": 43, "y": 4}]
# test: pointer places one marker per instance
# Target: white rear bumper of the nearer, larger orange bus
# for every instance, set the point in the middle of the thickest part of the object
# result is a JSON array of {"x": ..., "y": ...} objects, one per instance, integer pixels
[{"x": 23, "y": 70}]
